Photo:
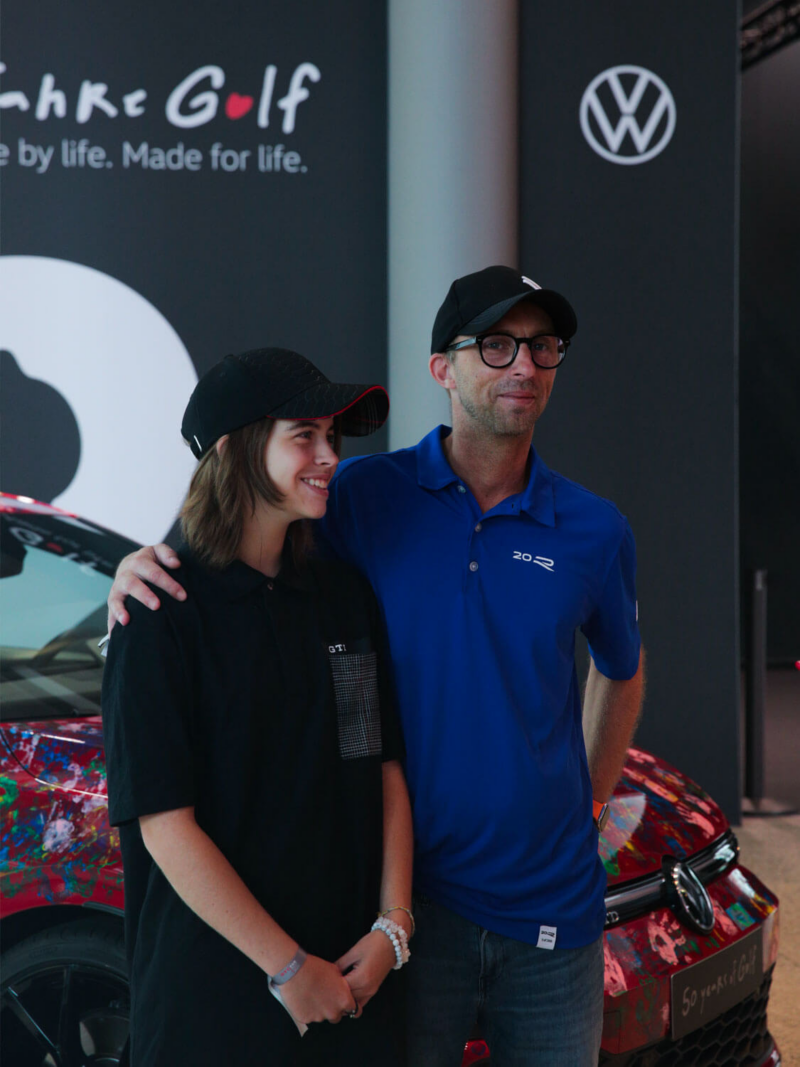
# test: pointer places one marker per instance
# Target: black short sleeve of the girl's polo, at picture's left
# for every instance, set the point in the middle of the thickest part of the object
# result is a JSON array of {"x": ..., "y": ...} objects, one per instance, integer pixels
[{"x": 147, "y": 719}]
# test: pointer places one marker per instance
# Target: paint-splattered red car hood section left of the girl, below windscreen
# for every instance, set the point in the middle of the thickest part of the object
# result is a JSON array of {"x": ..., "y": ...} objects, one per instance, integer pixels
[{"x": 65, "y": 755}]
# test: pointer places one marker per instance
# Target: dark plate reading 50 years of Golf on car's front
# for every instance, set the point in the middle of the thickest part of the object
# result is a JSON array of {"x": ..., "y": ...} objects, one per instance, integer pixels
[{"x": 707, "y": 990}]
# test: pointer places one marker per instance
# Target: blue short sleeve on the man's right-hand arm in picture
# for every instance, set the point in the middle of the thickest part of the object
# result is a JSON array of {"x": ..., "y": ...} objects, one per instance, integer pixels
[{"x": 613, "y": 629}]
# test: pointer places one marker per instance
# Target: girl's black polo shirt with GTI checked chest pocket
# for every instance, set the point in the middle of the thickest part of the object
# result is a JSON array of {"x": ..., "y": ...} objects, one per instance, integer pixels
[{"x": 263, "y": 704}]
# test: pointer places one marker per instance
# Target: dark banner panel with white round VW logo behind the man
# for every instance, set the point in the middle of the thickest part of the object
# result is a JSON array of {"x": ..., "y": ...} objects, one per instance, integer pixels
[{"x": 629, "y": 206}]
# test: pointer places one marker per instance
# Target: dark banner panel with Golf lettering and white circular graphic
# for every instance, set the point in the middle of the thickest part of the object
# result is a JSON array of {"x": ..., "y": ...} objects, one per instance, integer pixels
[{"x": 179, "y": 182}]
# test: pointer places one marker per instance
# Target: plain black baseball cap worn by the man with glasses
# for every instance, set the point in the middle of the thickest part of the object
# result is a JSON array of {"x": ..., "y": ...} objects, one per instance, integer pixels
[{"x": 477, "y": 301}]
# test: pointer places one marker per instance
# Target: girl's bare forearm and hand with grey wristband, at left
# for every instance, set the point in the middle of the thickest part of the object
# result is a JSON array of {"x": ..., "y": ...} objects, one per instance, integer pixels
[{"x": 206, "y": 882}]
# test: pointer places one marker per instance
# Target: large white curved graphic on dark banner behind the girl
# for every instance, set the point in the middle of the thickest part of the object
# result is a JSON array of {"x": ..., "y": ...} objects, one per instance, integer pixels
[{"x": 125, "y": 374}]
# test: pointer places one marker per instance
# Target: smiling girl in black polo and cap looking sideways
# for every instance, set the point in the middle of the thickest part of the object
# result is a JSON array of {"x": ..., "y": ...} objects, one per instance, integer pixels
[{"x": 253, "y": 755}]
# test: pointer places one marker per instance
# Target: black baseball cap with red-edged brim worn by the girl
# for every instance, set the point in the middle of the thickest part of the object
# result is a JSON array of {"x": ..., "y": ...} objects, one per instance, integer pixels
[{"x": 278, "y": 384}]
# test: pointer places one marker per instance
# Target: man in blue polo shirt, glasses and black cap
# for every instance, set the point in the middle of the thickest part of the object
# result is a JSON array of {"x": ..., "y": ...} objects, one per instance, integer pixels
[{"x": 485, "y": 564}]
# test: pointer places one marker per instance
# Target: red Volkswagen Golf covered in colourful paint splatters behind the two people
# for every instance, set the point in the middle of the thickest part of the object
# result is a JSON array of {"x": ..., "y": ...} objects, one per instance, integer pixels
[{"x": 691, "y": 939}]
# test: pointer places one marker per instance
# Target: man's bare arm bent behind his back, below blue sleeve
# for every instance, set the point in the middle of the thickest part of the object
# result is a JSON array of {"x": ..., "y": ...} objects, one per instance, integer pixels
[{"x": 611, "y": 714}]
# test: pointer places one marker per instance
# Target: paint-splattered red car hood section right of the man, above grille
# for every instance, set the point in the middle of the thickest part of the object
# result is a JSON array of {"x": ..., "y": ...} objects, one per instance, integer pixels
[{"x": 655, "y": 811}]
